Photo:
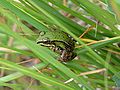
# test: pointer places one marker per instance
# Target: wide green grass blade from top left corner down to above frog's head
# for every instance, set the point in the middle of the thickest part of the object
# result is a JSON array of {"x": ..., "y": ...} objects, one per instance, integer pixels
[{"x": 23, "y": 15}]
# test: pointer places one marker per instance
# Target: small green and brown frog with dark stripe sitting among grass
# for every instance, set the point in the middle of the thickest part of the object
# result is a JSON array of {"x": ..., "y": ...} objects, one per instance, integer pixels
[{"x": 59, "y": 42}]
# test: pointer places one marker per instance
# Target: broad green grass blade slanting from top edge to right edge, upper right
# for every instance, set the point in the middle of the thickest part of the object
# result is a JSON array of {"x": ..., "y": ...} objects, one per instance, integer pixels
[{"x": 102, "y": 15}]
